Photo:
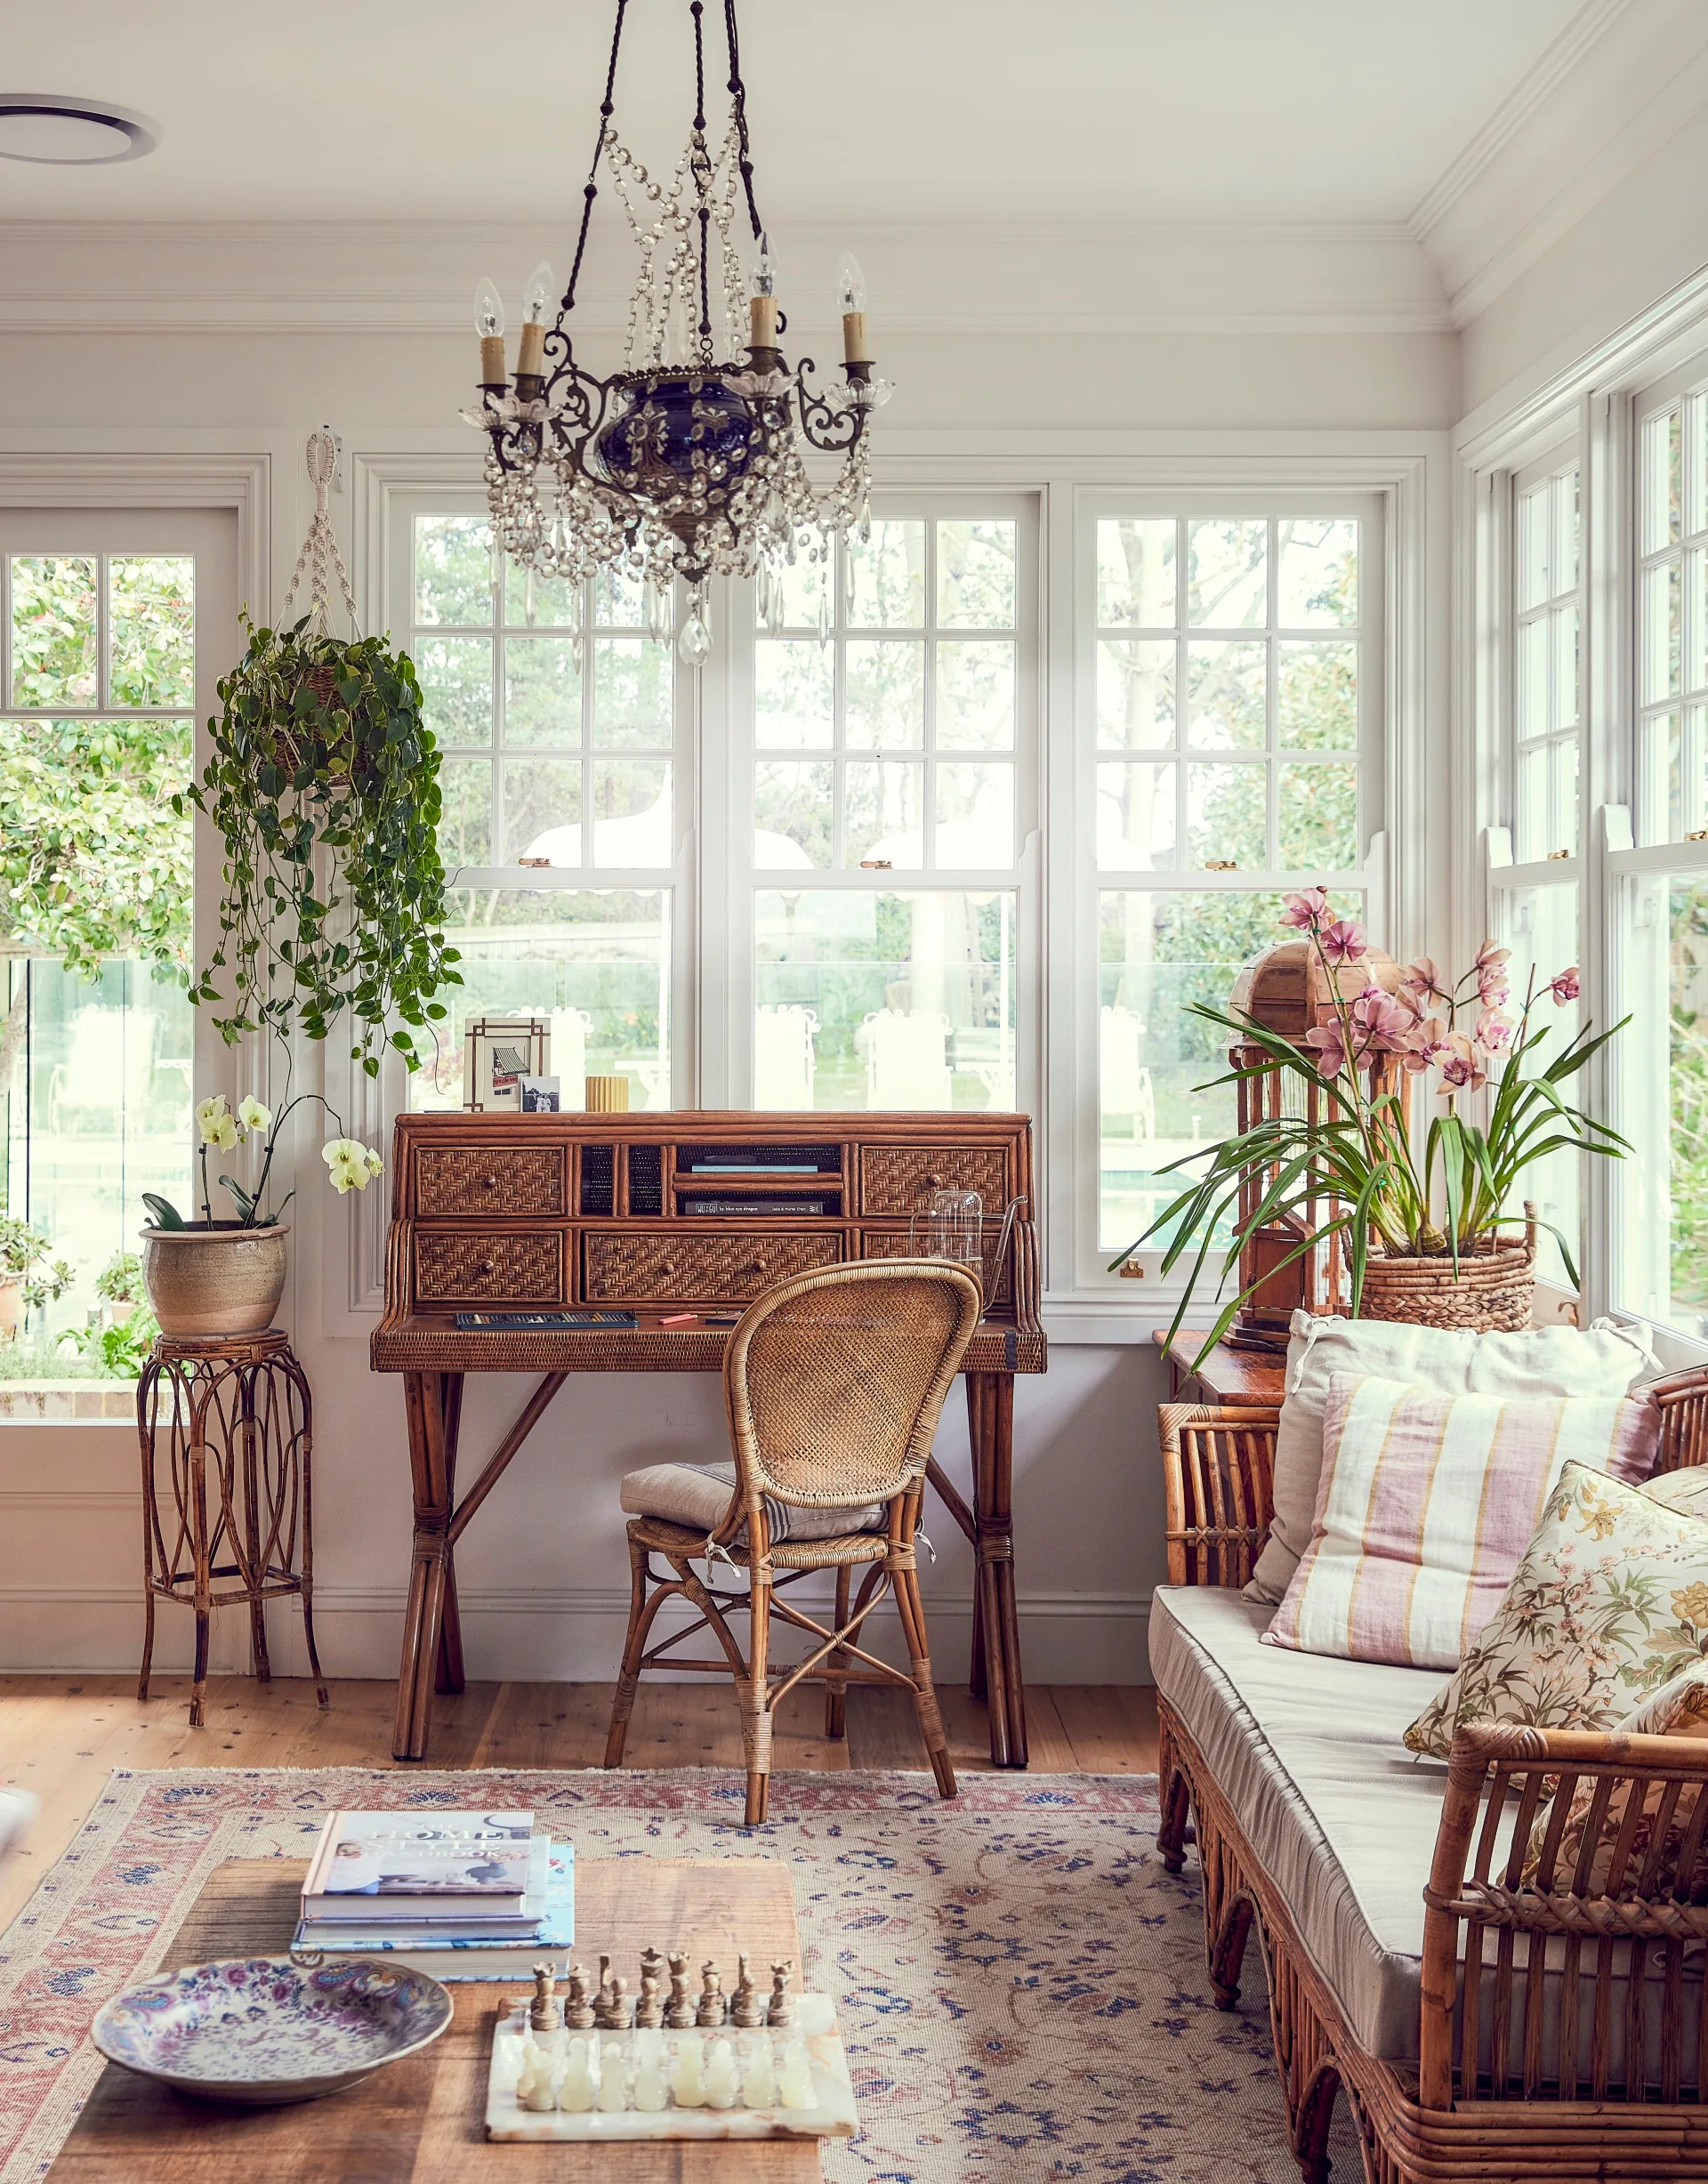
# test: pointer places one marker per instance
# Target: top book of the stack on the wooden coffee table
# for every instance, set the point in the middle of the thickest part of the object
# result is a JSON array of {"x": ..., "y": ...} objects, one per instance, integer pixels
[{"x": 381, "y": 1868}]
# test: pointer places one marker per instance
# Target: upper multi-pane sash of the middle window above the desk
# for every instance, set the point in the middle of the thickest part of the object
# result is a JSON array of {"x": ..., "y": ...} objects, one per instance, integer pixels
[{"x": 886, "y": 691}]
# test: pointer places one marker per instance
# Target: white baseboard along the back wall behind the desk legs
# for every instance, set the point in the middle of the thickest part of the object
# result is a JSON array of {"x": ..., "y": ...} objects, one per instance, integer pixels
[{"x": 560, "y": 1635}]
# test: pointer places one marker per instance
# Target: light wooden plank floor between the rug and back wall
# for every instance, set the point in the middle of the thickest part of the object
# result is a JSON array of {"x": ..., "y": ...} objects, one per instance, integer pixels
[{"x": 62, "y": 1735}]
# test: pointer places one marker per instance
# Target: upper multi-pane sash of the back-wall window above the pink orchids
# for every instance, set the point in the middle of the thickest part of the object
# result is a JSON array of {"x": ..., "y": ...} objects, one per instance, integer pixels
[{"x": 1229, "y": 693}]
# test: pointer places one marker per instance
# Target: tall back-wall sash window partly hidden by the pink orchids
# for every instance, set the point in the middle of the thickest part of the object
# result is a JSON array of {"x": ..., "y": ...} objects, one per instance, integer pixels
[{"x": 1233, "y": 757}]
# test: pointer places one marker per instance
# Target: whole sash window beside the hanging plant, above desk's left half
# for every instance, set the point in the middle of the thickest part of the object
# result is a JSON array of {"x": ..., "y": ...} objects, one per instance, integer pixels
[{"x": 558, "y": 711}]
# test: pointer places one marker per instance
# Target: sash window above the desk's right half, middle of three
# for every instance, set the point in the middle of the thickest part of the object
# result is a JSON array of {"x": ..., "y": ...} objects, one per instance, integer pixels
[{"x": 892, "y": 796}]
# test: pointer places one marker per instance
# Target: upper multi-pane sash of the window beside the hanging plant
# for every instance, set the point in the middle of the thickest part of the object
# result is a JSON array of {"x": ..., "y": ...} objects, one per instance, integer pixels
[{"x": 549, "y": 711}]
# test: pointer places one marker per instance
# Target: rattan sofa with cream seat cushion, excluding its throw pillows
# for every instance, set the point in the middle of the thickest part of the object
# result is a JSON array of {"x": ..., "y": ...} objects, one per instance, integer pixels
[{"x": 1478, "y": 2028}]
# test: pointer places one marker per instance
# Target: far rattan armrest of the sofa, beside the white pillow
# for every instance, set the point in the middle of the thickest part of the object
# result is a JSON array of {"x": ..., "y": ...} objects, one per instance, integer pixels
[{"x": 1218, "y": 1469}]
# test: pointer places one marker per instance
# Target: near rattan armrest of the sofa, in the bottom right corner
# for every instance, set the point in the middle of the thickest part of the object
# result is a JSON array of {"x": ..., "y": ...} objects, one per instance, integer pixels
[{"x": 1484, "y": 1892}]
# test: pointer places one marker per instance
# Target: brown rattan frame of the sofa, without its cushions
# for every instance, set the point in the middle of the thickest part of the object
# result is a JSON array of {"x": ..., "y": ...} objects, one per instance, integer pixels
[{"x": 1506, "y": 2089}]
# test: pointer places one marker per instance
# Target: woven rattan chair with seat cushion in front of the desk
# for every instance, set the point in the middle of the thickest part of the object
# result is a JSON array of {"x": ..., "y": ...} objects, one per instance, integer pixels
[{"x": 833, "y": 1386}]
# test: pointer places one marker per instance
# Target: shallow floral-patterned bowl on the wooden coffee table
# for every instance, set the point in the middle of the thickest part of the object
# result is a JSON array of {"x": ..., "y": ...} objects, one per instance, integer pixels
[{"x": 268, "y": 2030}]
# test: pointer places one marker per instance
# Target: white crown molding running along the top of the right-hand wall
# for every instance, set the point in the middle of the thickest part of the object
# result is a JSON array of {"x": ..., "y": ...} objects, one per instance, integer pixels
[{"x": 1615, "y": 86}]
